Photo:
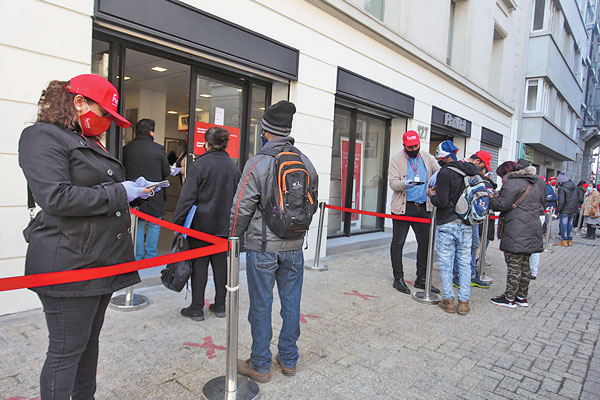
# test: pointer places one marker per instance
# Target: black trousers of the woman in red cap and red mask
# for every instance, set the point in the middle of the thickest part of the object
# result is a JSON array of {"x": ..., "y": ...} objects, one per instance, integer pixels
[{"x": 74, "y": 325}]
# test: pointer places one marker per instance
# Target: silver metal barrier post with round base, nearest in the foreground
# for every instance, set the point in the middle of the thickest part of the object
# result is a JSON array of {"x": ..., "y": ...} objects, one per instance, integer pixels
[{"x": 232, "y": 386}]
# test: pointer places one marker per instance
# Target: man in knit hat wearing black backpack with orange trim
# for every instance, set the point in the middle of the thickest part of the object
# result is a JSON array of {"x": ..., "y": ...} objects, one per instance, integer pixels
[{"x": 273, "y": 206}]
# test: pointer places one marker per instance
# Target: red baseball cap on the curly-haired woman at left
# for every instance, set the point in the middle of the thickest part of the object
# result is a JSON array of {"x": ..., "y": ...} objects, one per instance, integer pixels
[{"x": 98, "y": 89}]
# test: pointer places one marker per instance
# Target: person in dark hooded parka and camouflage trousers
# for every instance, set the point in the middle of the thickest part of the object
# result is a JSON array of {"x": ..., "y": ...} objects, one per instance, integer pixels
[{"x": 520, "y": 200}]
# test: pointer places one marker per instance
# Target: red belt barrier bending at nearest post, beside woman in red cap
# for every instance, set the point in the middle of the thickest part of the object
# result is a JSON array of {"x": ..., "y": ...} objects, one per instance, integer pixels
[{"x": 219, "y": 245}]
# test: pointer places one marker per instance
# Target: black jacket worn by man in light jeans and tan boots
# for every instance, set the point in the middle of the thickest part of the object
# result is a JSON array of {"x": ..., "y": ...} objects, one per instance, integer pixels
[{"x": 449, "y": 186}]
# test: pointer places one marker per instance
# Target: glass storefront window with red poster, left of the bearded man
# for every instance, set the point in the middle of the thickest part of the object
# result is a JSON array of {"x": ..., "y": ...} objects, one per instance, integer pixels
[{"x": 367, "y": 134}]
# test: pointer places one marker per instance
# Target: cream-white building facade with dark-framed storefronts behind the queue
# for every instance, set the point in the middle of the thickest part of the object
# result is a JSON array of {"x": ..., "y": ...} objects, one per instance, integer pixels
[{"x": 360, "y": 72}]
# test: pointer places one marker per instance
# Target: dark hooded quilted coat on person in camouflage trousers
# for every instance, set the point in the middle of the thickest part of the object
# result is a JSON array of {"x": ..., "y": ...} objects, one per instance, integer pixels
[{"x": 522, "y": 232}]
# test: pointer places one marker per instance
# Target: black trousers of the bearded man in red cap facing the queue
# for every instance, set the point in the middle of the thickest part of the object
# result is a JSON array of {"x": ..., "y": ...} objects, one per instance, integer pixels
[{"x": 400, "y": 231}]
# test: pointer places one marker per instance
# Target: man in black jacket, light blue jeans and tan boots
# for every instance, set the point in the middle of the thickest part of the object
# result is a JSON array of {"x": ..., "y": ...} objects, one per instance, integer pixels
[{"x": 453, "y": 233}]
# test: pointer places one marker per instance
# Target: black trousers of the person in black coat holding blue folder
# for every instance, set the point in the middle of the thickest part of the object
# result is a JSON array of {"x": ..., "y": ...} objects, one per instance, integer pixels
[{"x": 200, "y": 275}]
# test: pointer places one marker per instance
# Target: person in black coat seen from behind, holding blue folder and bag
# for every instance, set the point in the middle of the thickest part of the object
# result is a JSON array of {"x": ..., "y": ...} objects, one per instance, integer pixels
[{"x": 210, "y": 184}]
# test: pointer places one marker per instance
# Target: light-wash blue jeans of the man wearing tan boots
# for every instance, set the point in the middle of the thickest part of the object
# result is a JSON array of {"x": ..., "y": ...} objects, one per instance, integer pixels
[{"x": 453, "y": 242}]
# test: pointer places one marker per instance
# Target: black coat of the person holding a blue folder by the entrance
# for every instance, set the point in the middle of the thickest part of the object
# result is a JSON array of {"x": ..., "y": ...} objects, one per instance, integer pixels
[{"x": 210, "y": 184}]
